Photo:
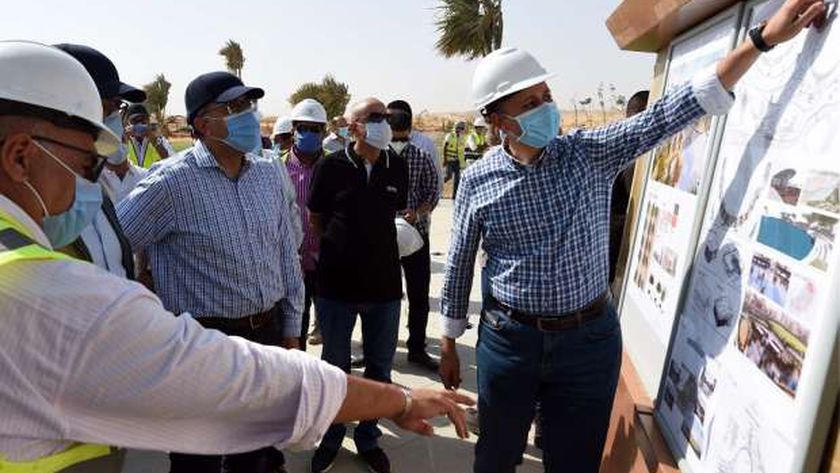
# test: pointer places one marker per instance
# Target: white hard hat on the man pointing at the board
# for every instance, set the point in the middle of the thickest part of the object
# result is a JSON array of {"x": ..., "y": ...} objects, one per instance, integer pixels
[{"x": 504, "y": 72}]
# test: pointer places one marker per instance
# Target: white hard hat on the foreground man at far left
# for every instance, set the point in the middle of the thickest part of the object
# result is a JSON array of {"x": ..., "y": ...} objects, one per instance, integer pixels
[{"x": 45, "y": 76}]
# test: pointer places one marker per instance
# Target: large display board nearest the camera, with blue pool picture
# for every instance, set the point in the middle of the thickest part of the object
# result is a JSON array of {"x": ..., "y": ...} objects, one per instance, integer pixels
[{"x": 748, "y": 362}]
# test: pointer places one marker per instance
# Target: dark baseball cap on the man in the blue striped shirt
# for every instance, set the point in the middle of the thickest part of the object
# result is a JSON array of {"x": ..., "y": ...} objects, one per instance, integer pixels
[{"x": 216, "y": 87}]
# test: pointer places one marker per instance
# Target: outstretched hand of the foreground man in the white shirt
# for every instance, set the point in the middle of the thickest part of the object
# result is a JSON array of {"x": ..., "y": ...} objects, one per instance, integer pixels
[{"x": 430, "y": 403}]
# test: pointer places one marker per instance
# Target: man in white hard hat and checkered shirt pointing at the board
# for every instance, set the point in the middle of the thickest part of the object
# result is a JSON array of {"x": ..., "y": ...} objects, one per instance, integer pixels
[{"x": 539, "y": 206}]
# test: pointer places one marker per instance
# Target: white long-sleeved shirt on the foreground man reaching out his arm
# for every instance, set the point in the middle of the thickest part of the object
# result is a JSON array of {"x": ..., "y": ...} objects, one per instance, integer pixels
[{"x": 88, "y": 357}]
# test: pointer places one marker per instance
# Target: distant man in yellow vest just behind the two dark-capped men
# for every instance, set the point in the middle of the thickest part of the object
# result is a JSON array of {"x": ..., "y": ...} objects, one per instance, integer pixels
[{"x": 146, "y": 145}]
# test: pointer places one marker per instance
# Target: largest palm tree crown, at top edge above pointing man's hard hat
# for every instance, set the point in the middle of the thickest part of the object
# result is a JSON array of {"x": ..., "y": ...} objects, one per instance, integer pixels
[{"x": 469, "y": 28}]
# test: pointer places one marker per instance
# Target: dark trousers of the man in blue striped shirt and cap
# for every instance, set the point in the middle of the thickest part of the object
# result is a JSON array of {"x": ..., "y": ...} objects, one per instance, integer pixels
[{"x": 264, "y": 460}]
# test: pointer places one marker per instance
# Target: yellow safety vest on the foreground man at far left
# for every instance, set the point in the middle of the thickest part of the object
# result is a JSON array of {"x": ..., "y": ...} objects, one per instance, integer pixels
[{"x": 20, "y": 247}]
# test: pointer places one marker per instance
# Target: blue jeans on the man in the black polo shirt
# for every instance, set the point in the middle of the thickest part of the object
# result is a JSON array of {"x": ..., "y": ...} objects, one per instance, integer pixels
[{"x": 380, "y": 323}]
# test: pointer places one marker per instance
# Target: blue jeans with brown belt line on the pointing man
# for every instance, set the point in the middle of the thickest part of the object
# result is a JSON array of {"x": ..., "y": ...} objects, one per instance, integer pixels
[{"x": 573, "y": 375}]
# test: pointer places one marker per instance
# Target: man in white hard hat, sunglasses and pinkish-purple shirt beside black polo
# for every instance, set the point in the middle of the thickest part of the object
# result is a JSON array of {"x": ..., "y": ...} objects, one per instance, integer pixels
[{"x": 309, "y": 120}]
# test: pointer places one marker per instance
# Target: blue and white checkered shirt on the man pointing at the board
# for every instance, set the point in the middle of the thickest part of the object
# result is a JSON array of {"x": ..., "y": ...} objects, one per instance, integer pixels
[{"x": 545, "y": 226}]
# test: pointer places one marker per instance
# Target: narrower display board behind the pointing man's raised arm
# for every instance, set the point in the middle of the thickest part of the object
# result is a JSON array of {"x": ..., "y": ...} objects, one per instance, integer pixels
[{"x": 672, "y": 203}]
